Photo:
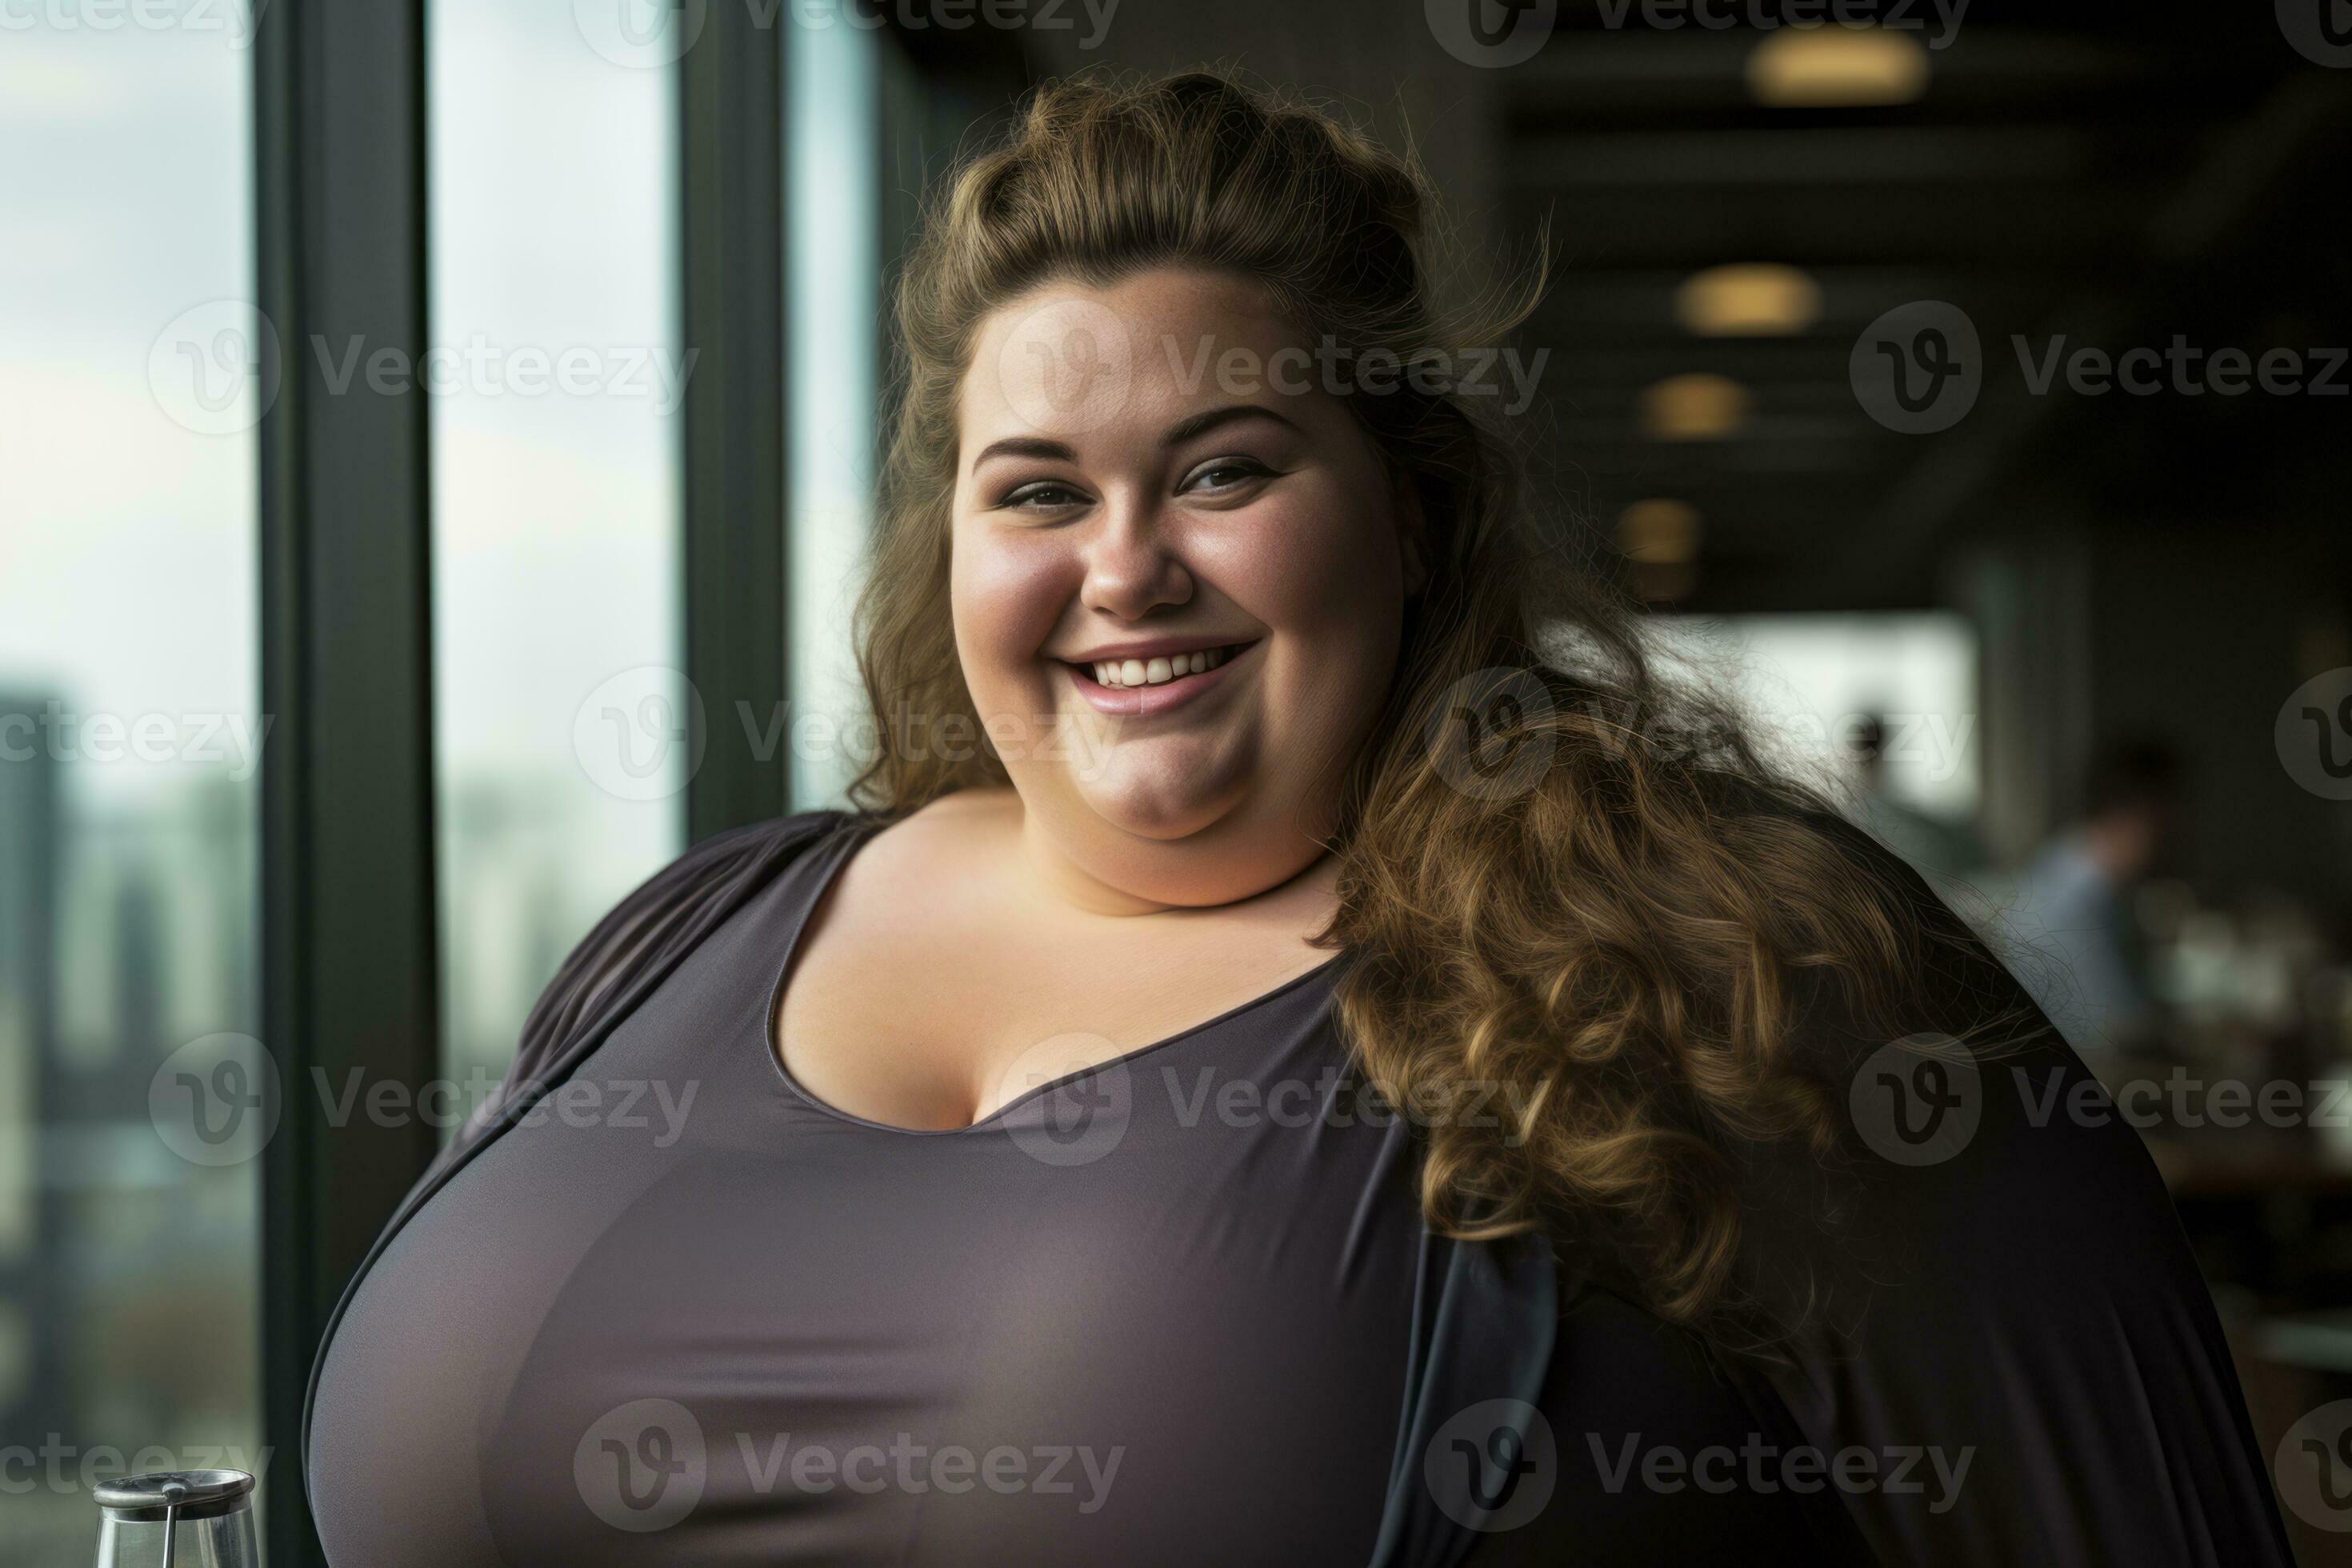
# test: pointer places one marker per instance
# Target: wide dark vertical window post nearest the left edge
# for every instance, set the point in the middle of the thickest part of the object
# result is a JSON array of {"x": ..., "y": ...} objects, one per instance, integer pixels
[{"x": 347, "y": 855}]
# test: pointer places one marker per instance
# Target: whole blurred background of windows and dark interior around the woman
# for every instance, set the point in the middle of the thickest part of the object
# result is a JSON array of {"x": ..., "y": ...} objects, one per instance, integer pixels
[{"x": 526, "y": 615}]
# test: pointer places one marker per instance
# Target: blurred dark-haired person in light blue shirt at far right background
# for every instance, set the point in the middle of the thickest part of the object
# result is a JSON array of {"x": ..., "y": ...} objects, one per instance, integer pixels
[{"x": 2076, "y": 902}]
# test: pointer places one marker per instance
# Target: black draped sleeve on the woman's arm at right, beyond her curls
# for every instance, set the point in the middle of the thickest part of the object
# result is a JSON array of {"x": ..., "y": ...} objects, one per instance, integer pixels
[{"x": 2012, "y": 1306}]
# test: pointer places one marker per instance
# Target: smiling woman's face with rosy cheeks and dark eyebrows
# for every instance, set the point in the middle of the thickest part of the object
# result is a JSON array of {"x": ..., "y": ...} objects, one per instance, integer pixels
[{"x": 1180, "y": 575}]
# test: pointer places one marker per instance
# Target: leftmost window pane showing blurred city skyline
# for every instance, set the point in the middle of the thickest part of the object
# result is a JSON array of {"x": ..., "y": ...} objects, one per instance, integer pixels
[{"x": 131, "y": 753}]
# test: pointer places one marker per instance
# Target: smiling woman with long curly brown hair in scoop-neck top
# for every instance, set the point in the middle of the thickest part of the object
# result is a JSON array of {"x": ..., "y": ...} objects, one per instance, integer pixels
[{"x": 1309, "y": 1052}]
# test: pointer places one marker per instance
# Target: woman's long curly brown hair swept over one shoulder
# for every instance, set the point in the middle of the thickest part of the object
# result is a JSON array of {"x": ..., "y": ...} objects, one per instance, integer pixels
[{"x": 1572, "y": 890}]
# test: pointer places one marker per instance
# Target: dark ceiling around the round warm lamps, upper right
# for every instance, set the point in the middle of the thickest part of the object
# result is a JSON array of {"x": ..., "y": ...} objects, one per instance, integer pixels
[{"x": 2111, "y": 173}]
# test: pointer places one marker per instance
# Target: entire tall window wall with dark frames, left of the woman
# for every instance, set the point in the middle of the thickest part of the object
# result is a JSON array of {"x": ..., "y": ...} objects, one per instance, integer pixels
[{"x": 152, "y": 525}]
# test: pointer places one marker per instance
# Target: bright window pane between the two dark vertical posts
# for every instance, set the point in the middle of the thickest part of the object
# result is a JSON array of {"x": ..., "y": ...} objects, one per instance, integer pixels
[{"x": 556, "y": 495}]
